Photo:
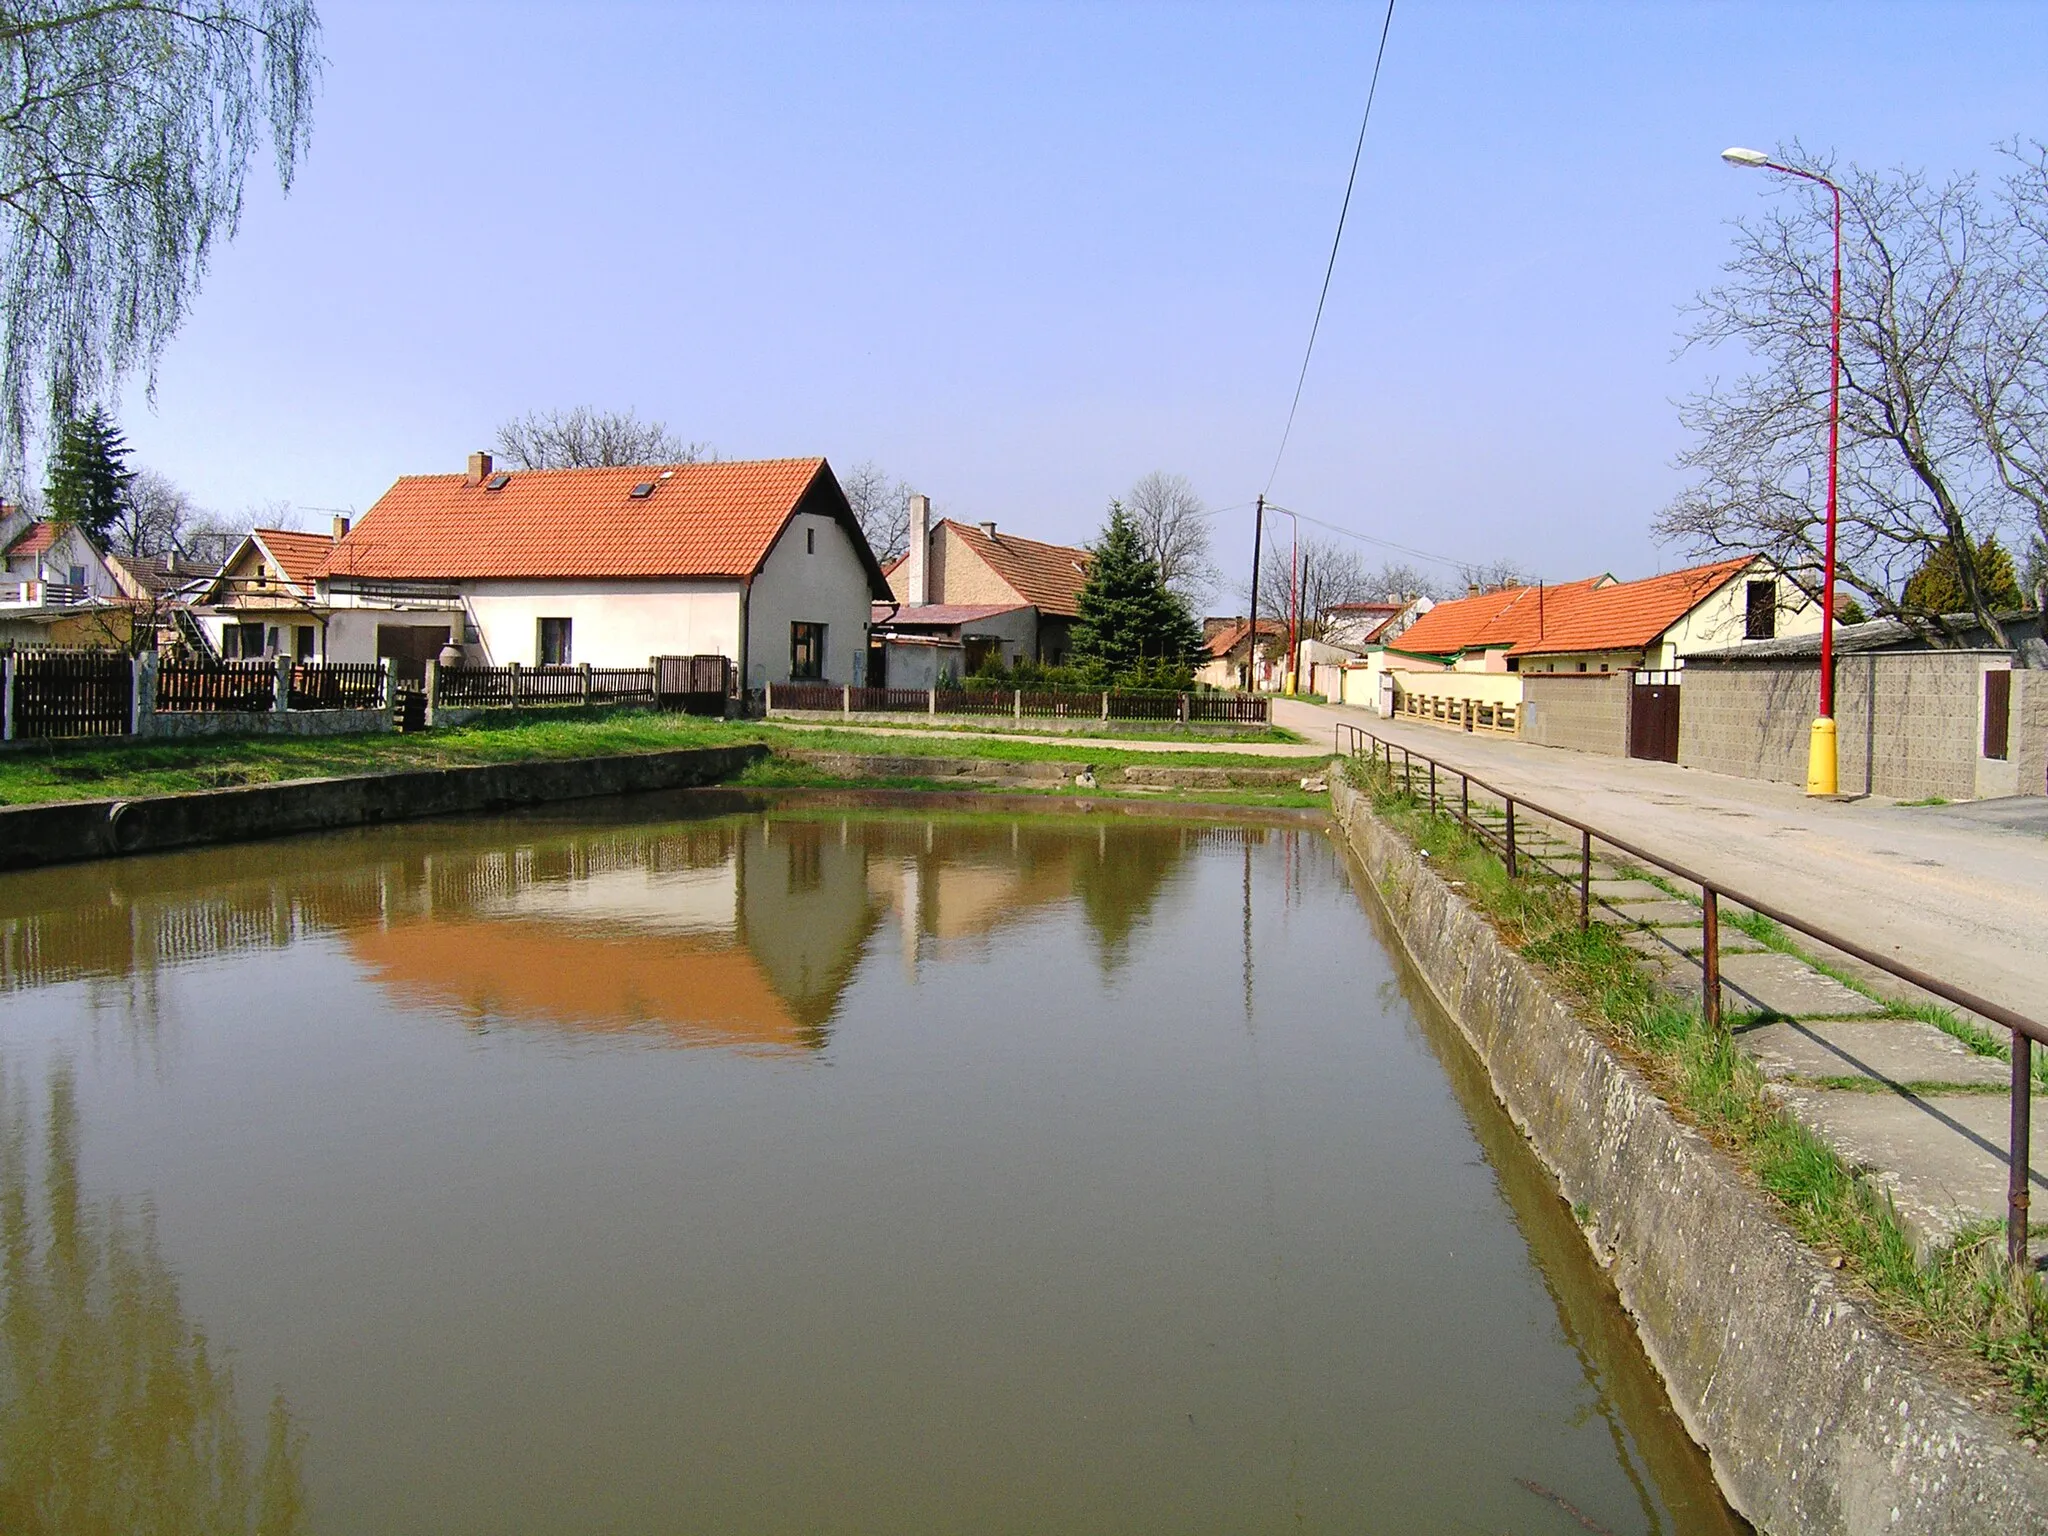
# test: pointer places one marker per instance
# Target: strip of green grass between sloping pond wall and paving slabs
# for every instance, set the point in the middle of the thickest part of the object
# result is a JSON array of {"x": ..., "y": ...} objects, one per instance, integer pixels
[{"x": 1965, "y": 1299}]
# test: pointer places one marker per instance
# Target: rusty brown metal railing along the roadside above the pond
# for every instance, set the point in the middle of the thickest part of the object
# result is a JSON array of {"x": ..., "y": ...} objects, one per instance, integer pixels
[{"x": 1361, "y": 742}]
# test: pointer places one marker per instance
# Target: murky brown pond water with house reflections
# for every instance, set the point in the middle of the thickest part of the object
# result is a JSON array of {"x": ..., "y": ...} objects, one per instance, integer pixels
[{"x": 634, "y": 1170}]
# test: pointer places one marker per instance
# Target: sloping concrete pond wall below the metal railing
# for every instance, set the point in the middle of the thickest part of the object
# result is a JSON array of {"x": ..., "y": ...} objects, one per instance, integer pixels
[{"x": 1816, "y": 1416}]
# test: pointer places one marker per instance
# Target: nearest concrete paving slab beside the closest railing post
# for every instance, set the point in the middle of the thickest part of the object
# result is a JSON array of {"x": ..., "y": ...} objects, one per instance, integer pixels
[{"x": 1943, "y": 1160}]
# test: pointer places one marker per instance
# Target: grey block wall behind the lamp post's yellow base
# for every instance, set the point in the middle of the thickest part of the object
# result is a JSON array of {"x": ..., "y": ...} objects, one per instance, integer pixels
[{"x": 1908, "y": 724}]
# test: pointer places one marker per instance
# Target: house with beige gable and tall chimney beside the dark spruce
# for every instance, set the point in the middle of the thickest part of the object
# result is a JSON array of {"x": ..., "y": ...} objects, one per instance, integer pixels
[{"x": 1027, "y": 591}]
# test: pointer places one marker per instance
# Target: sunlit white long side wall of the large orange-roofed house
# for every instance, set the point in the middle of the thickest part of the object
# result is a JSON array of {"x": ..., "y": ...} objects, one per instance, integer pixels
[{"x": 611, "y": 624}]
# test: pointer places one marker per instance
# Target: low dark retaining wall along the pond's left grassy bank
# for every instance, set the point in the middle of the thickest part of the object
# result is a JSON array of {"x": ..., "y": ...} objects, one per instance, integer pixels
[{"x": 60, "y": 835}]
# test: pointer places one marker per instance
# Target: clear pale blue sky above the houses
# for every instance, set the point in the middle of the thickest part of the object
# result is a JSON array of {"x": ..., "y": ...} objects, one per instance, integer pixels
[{"x": 1025, "y": 253}]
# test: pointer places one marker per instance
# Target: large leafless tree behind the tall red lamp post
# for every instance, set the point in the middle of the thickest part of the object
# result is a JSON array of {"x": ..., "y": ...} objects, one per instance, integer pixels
[{"x": 1916, "y": 476}]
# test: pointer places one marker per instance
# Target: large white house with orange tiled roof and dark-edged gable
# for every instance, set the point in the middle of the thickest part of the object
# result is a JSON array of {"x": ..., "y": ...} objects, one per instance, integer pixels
[{"x": 761, "y": 562}]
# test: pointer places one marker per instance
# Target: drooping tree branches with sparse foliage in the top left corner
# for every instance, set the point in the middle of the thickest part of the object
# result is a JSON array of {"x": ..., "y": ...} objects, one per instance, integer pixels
[{"x": 126, "y": 134}]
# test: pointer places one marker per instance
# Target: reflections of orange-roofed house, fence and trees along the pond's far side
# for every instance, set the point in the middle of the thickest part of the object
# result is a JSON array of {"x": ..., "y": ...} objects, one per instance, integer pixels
[{"x": 738, "y": 931}]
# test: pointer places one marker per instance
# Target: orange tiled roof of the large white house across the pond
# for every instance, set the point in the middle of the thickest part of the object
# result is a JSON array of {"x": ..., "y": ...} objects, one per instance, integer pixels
[{"x": 714, "y": 519}]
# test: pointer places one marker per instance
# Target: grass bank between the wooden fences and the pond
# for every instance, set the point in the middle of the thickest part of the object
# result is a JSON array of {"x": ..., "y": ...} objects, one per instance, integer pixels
[{"x": 81, "y": 771}]
